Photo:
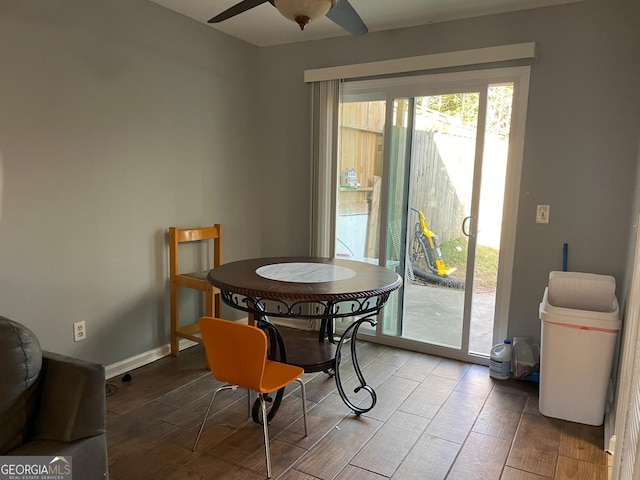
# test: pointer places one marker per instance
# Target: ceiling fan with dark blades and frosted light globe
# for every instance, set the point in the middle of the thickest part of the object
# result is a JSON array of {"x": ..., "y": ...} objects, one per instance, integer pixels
[{"x": 305, "y": 11}]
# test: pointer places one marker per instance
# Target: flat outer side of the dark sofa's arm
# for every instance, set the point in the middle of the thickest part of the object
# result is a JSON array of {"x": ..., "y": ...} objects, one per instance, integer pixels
[{"x": 72, "y": 400}]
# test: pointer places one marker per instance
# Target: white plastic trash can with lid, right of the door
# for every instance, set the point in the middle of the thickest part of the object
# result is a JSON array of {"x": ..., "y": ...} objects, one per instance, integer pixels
[{"x": 577, "y": 348}]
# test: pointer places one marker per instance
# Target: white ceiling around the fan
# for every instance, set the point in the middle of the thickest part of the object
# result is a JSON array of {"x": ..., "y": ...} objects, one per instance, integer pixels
[{"x": 264, "y": 26}]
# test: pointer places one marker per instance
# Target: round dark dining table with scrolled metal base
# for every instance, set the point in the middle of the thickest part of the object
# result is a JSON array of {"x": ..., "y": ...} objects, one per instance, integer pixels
[{"x": 309, "y": 288}]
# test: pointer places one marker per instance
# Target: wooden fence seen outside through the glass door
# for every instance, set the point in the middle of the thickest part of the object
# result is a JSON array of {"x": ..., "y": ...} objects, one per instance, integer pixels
[{"x": 431, "y": 189}]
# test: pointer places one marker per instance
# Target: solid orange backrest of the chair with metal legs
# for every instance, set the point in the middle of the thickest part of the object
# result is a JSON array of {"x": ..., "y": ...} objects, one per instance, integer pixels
[{"x": 236, "y": 352}]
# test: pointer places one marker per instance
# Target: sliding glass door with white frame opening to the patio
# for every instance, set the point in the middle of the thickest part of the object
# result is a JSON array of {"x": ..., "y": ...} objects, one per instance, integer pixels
[{"x": 424, "y": 171}]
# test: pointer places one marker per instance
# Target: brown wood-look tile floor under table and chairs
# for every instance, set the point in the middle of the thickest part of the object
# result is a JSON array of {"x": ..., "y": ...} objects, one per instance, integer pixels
[{"x": 434, "y": 419}]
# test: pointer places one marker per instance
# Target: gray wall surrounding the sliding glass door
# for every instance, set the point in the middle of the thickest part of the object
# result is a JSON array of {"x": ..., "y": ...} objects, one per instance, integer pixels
[{"x": 581, "y": 142}]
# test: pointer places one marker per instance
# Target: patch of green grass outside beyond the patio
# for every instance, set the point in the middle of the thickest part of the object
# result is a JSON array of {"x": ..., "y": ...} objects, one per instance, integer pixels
[{"x": 454, "y": 253}]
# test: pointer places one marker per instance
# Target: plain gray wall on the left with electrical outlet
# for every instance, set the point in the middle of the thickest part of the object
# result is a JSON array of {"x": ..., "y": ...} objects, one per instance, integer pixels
[{"x": 118, "y": 119}]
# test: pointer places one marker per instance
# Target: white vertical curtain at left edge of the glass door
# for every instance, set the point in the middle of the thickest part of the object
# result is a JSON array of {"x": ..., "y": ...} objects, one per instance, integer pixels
[{"x": 325, "y": 104}]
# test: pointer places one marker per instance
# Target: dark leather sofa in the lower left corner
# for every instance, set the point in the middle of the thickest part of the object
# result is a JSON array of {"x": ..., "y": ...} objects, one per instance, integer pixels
[{"x": 50, "y": 404}]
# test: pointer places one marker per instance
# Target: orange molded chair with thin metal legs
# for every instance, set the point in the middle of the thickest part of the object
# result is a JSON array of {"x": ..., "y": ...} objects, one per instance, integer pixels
[{"x": 237, "y": 355}]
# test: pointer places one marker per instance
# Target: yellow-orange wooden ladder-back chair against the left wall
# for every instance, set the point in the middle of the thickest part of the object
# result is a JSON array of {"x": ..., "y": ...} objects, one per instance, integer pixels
[{"x": 194, "y": 280}]
